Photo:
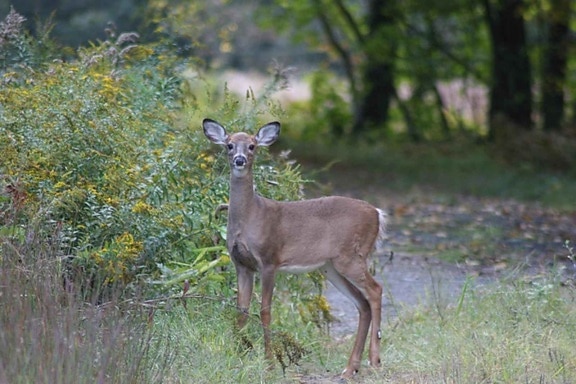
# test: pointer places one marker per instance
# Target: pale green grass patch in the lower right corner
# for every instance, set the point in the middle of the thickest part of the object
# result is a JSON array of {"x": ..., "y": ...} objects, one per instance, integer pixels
[{"x": 511, "y": 332}]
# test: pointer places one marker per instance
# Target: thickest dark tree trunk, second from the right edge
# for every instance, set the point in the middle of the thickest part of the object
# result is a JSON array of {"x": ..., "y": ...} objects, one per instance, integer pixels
[{"x": 511, "y": 83}]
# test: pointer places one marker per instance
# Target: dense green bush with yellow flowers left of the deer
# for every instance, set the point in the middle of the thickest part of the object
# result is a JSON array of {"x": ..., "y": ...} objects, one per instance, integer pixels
[{"x": 97, "y": 159}]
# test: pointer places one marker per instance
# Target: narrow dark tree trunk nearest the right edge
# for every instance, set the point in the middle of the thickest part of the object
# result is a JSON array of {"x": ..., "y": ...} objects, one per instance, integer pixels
[{"x": 554, "y": 66}]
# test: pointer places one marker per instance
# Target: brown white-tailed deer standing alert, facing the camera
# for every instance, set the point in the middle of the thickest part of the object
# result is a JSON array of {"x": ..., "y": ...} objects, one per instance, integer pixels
[{"x": 333, "y": 234}]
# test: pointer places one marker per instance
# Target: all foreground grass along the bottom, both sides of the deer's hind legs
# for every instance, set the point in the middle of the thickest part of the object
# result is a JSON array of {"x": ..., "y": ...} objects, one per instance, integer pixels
[{"x": 515, "y": 330}]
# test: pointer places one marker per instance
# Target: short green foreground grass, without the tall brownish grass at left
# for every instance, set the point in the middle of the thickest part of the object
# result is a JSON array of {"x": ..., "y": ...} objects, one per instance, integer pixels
[{"x": 513, "y": 331}]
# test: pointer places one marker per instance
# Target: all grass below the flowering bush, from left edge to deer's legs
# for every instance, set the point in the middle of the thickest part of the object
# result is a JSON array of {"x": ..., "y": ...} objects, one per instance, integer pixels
[{"x": 50, "y": 333}]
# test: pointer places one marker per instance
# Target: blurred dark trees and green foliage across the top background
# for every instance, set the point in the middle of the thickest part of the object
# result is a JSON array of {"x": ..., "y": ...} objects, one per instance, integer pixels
[{"x": 421, "y": 70}]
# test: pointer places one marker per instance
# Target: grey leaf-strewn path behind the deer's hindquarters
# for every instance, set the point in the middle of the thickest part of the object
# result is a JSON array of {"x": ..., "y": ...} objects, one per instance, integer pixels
[{"x": 438, "y": 242}]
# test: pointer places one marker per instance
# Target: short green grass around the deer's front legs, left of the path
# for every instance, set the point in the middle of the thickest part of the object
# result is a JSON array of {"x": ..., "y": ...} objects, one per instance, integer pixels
[{"x": 209, "y": 350}]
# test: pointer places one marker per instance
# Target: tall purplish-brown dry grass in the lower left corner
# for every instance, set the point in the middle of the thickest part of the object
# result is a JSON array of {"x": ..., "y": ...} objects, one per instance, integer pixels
[{"x": 50, "y": 335}]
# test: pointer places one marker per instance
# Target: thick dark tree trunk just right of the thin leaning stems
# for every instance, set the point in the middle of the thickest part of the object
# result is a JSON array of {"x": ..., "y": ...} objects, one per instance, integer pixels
[{"x": 378, "y": 70}]
